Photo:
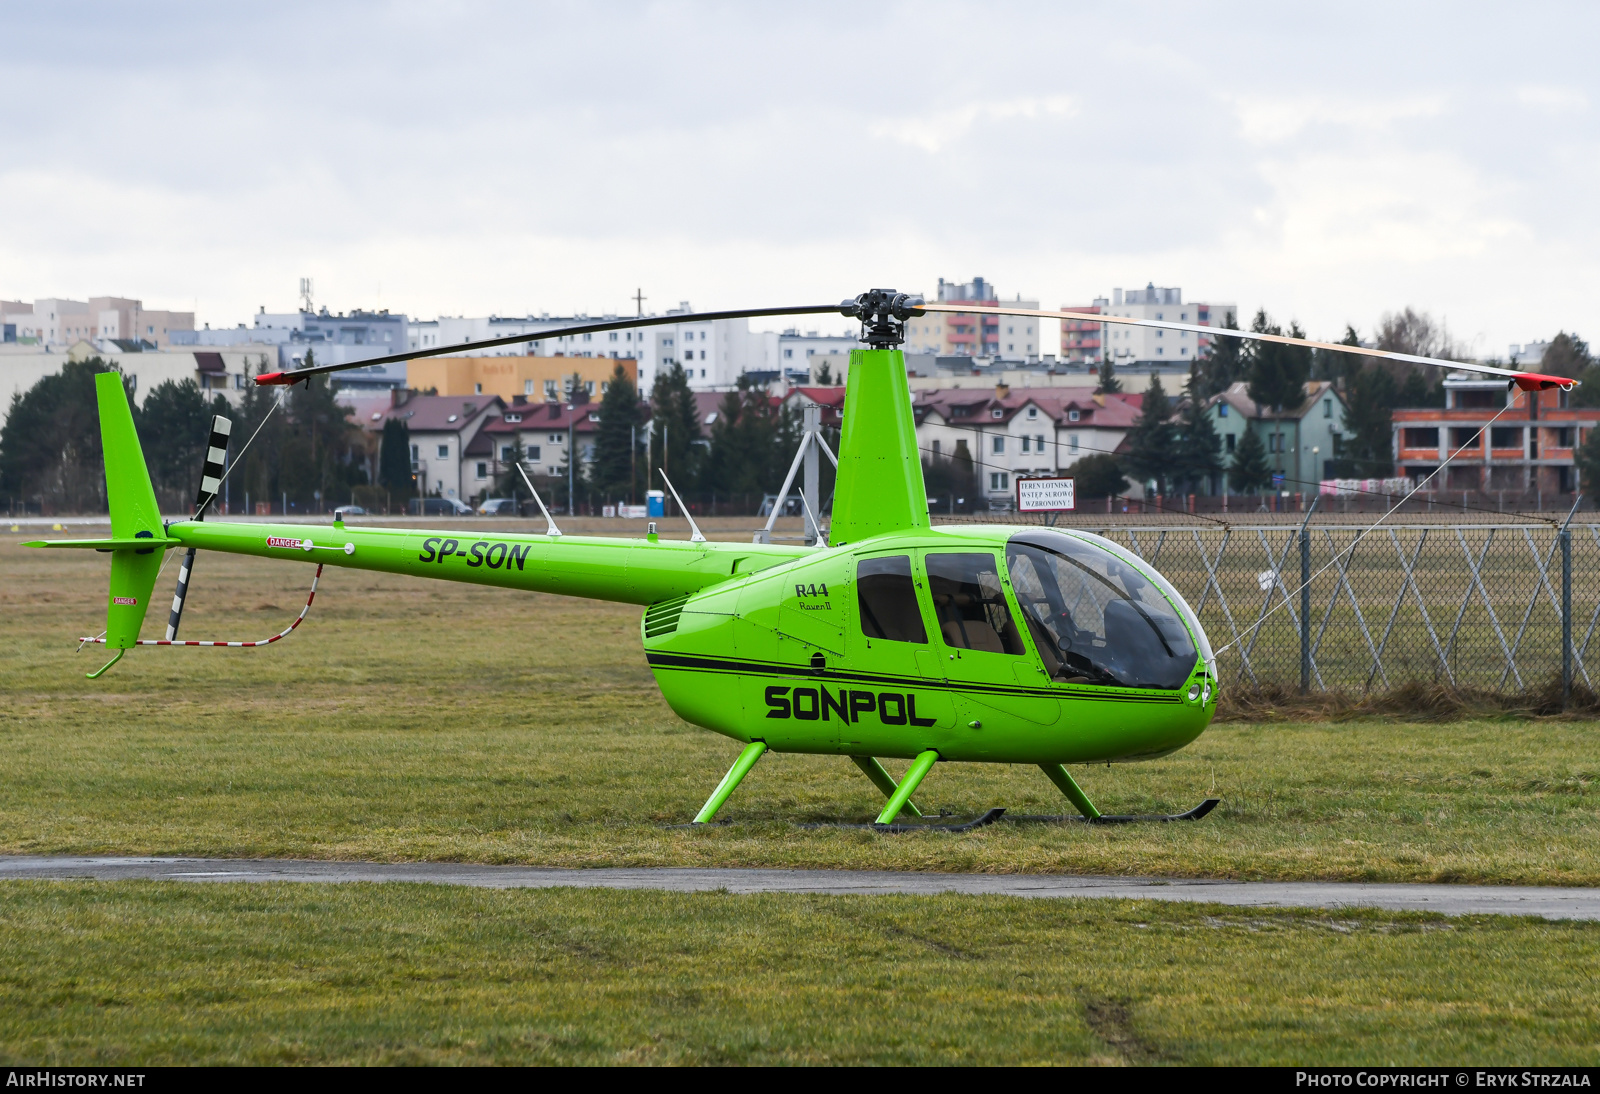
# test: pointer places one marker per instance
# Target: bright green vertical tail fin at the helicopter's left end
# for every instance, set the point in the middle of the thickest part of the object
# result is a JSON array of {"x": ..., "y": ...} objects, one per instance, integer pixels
[{"x": 134, "y": 516}]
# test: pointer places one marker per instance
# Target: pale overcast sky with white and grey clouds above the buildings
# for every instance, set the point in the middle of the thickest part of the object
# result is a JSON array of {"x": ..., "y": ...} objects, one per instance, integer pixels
[{"x": 484, "y": 158}]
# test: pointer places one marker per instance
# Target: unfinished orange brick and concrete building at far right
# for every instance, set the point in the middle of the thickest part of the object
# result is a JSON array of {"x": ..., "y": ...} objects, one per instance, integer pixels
[{"x": 1529, "y": 449}]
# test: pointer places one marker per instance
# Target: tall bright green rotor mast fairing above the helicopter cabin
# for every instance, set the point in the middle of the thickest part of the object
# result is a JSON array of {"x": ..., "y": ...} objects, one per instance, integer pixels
[{"x": 879, "y": 465}]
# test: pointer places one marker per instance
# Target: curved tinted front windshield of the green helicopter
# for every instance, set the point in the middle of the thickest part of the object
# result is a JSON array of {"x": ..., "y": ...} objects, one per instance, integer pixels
[{"x": 1095, "y": 617}]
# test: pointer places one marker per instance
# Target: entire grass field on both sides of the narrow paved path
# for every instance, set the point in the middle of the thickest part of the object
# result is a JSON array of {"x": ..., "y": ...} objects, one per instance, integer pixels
[{"x": 412, "y": 721}]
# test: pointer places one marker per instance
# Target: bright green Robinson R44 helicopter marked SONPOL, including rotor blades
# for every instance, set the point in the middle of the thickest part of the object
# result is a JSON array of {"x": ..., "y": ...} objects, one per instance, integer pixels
[{"x": 889, "y": 639}]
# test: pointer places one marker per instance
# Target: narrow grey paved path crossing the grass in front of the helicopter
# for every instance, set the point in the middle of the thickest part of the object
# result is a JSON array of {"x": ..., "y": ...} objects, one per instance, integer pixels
[{"x": 1449, "y": 900}]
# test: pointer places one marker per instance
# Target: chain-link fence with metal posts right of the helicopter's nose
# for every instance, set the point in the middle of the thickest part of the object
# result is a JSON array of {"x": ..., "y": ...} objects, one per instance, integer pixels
[{"x": 1497, "y": 607}]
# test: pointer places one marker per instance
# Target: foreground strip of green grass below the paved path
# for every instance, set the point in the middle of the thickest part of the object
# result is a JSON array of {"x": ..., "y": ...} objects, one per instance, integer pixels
[{"x": 146, "y": 973}]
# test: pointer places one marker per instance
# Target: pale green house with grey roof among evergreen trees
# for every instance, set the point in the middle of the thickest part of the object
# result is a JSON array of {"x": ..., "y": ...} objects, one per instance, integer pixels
[{"x": 1300, "y": 441}]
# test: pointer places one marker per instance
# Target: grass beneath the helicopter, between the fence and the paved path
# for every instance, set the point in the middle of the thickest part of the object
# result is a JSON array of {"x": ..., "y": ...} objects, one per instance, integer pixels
[{"x": 425, "y": 721}]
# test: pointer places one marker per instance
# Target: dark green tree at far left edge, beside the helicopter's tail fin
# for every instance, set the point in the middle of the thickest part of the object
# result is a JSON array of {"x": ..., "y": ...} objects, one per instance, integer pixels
[{"x": 50, "y": 449}]
